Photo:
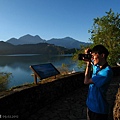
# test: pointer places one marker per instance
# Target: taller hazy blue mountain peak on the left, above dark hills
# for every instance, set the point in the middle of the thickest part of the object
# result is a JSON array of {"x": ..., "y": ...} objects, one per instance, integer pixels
[{"x": 26, "y": 39}]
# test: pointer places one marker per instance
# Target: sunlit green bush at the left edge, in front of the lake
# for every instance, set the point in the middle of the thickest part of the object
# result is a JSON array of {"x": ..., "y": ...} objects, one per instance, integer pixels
[{"x": 4, "y": 79}]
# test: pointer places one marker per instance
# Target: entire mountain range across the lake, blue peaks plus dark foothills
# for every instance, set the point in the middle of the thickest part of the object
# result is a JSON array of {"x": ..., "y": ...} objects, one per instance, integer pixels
[{"x": 29, "y": 44}]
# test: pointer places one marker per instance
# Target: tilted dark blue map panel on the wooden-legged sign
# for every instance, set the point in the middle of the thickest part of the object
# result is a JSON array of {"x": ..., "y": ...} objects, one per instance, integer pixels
[{"x": 44, "y": 70}]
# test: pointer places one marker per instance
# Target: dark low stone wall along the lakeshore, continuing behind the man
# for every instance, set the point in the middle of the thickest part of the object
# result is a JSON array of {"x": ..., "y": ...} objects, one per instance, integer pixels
[{"x": 23, "y": 102}]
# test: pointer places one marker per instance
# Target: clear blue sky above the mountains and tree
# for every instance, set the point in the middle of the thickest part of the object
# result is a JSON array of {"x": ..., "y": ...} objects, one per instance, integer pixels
[{"x": 52, "y": 18}]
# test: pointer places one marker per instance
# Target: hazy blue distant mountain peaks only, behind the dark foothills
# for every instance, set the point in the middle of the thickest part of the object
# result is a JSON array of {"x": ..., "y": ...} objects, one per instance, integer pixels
[{"x": 66, "y": 42}]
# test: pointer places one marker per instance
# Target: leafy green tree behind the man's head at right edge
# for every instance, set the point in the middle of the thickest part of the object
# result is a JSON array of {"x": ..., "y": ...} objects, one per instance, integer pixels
[{"x": 106, "y": 31}]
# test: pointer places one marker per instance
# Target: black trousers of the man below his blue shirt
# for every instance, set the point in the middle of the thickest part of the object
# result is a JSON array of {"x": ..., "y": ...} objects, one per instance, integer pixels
[{"x": 97, "y": 116}]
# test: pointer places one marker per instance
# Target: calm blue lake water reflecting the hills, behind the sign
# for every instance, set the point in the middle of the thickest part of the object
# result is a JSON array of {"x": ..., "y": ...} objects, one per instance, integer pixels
[{"x": 18, "y": 65}]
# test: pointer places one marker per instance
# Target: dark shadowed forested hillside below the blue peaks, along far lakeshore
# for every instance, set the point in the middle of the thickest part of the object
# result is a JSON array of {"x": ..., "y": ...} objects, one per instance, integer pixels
[{"x": 41, "y": 48}]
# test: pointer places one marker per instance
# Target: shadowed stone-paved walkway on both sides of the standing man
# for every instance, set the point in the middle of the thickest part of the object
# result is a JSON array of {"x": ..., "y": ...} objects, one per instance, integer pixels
[{"x": 73, "y": 106}]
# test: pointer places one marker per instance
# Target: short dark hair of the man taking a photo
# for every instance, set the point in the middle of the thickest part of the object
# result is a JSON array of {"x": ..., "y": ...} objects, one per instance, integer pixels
[{"x": 100, "y": 49}]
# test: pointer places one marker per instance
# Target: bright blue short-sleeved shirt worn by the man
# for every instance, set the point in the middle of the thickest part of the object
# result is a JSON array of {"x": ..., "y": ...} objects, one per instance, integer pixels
[{"x": 96, "y": 100}]
